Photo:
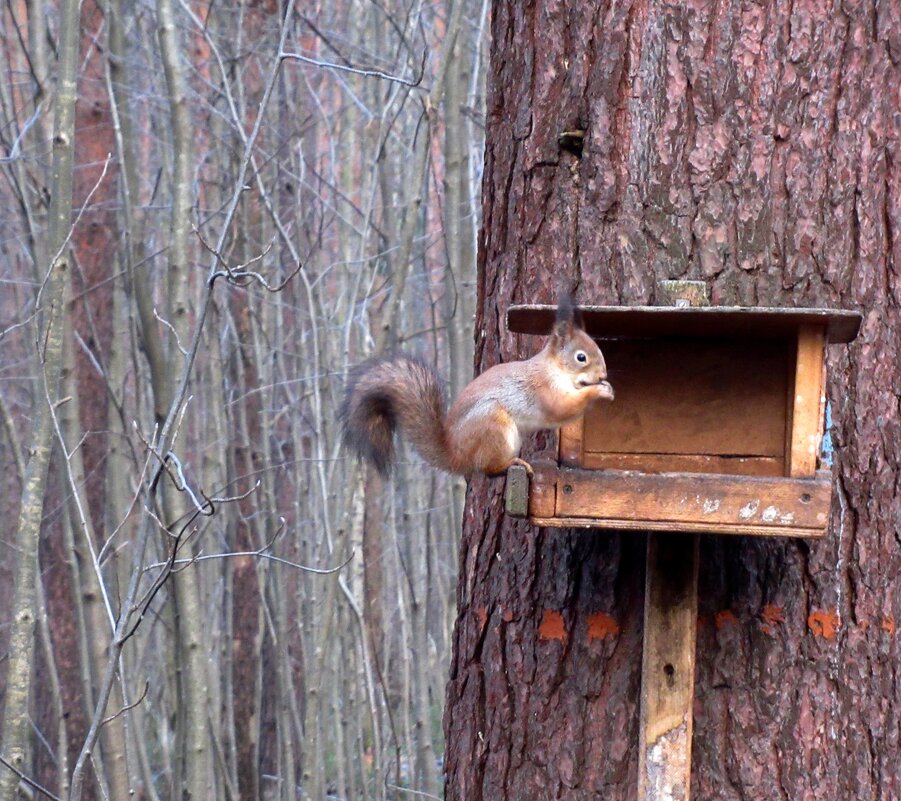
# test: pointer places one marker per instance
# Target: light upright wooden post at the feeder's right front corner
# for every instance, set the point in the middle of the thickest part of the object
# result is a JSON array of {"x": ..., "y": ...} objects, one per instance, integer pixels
[{"x": 807, "y": 422}]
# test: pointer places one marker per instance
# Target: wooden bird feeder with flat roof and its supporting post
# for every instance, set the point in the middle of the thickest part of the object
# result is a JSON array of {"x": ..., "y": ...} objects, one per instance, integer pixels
[{"x": 716, "y": 428}]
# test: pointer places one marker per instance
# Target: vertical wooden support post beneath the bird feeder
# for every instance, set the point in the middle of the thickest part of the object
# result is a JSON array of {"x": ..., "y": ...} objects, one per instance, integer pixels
[{"x": 668, "y": 668}]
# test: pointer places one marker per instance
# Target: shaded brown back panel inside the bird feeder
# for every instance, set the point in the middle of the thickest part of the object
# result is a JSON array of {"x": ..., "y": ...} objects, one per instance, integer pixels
[{"x": 720, "y": 398}]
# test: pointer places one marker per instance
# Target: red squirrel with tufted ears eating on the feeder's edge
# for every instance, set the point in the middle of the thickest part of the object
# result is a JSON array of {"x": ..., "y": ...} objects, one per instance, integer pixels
[{"x": 483, "y": 430}]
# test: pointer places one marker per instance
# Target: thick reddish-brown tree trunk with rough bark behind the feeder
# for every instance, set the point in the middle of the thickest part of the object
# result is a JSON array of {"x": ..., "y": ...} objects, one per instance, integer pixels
[{"x": 755, "y": 147}]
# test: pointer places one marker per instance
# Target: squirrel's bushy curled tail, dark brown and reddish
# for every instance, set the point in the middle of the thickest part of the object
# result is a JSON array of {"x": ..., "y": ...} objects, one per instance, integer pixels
[{"x": 385, "y": 393}]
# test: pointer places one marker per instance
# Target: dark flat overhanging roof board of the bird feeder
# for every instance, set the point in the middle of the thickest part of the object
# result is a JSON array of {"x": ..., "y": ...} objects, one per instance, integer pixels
[{"x": 711, "y": 322}]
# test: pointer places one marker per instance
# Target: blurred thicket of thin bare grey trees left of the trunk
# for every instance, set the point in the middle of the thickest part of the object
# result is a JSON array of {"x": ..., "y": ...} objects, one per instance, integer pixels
[{"x": 262, "y": 195}]
